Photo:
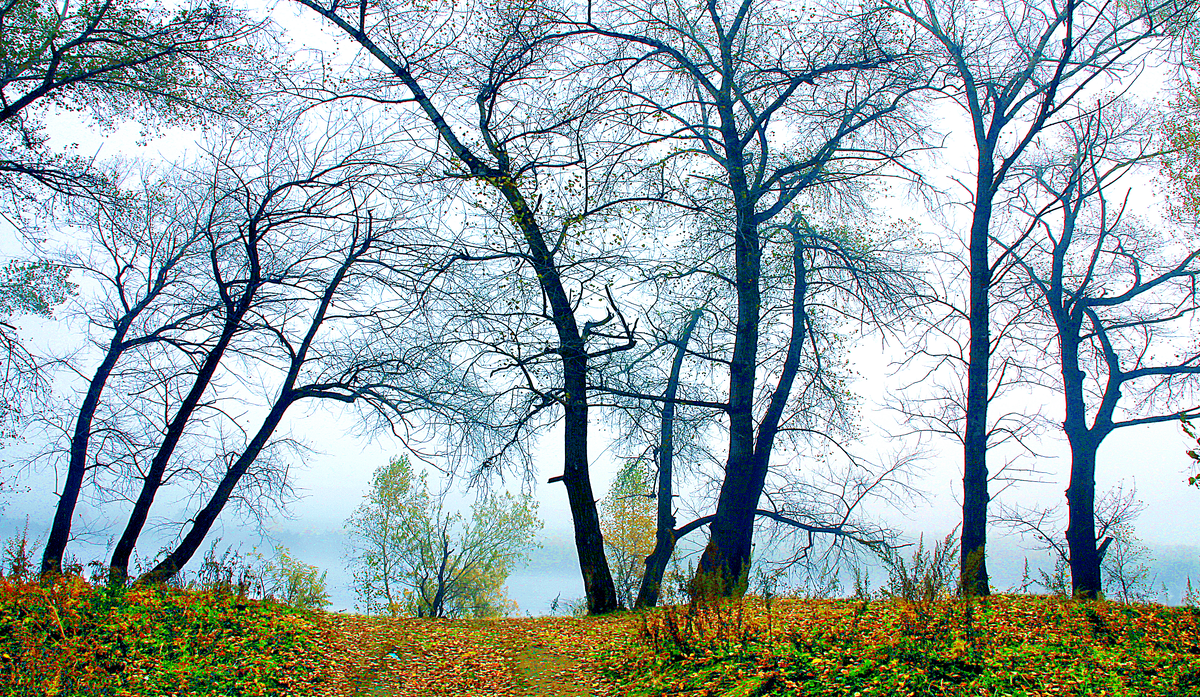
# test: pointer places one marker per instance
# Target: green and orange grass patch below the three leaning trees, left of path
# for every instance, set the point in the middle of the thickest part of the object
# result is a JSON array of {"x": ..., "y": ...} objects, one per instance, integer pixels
[{"x": 79, "y": 639}]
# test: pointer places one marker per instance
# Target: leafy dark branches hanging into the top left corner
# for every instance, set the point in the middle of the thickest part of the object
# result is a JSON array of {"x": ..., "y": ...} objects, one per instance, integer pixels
[{"x": 113, "y": 61}]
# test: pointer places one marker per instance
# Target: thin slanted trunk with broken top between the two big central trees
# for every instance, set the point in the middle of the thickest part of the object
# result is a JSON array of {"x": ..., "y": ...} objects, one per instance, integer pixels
[{"x": 664, "y": 533}]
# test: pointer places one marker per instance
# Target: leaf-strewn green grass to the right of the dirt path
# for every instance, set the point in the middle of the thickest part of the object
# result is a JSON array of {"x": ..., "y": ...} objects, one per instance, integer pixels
[{"x": 1011, "y": 646}]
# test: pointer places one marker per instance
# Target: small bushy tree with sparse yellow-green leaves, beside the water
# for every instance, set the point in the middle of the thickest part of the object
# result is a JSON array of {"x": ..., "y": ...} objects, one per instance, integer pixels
[{"x": 411, "y": 556}]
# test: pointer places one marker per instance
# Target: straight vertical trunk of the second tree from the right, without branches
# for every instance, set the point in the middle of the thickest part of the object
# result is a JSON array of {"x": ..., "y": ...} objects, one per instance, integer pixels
[{"x": 974, "y": 563}]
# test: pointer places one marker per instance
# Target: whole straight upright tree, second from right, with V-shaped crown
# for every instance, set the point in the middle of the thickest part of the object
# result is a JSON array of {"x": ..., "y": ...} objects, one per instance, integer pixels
[{"x": 1013, "y": 68}]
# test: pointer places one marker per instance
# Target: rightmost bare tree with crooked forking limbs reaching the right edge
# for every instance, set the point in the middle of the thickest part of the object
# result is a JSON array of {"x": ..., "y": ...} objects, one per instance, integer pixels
[{"x": 1119, "y": 297}]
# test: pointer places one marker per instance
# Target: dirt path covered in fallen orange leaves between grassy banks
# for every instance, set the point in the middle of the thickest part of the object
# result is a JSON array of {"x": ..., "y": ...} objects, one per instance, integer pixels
[{"x": 512, "y": 658}]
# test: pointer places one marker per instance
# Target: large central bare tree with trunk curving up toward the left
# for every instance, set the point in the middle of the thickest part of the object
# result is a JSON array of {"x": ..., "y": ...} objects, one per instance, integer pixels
[{"x": 483, "y": 82}]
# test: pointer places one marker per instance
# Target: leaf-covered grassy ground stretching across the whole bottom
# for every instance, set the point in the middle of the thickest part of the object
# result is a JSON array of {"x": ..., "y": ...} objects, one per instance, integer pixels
[{"x": 77, "y": 639}]
